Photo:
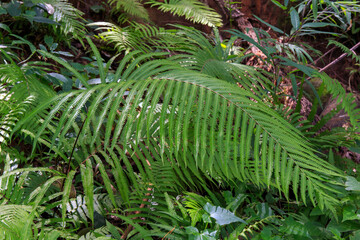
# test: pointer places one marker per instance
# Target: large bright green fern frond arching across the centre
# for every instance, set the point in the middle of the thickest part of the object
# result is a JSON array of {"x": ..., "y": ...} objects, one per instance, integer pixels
[{"x": 192, "y": 121}]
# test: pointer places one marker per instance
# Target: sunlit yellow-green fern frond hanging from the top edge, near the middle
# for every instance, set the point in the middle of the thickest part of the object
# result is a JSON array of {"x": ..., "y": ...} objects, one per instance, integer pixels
[{"x": 192, "y": 10}]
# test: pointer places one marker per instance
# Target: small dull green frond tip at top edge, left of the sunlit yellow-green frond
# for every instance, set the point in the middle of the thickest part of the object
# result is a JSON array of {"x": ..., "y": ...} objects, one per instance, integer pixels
[{"x": 132, "y": 7}]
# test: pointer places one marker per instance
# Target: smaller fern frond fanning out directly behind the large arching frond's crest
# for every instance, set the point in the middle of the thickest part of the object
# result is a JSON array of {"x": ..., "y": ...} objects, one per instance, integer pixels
[{"x": 207, "y": 56}]
